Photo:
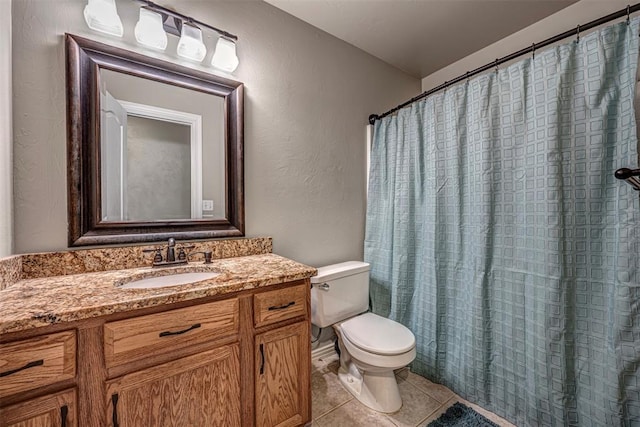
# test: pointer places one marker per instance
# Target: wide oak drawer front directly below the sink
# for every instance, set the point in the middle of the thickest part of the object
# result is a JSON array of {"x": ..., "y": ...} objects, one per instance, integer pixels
[{"x": 134, "y": 339}]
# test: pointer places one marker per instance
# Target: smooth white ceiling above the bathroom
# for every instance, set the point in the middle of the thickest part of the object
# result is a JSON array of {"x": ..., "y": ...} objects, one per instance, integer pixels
[{"x": 420, "y": 36}]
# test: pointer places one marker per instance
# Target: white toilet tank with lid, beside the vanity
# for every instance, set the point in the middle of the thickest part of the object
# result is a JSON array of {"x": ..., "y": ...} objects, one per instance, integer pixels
[{"x": 339, "y": 291}]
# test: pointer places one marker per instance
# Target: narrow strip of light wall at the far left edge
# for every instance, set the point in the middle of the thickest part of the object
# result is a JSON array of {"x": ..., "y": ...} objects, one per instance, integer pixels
[{"x": 6, "y": 203}]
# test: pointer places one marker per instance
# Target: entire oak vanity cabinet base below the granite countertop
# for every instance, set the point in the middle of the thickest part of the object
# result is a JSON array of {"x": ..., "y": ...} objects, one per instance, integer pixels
[{"x": 242, "y": 359}]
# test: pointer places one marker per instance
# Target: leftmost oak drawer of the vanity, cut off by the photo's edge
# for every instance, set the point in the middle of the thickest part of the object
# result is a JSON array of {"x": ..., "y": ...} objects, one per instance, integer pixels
[{"x": 33, "y": 363}]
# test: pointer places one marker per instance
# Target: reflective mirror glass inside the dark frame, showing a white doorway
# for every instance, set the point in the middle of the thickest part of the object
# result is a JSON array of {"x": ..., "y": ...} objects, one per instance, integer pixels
[{"x": 159, "y": 136}]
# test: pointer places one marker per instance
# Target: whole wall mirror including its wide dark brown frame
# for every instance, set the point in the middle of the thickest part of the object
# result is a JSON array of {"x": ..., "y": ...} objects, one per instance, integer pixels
[{"x": 155, "y": 150}]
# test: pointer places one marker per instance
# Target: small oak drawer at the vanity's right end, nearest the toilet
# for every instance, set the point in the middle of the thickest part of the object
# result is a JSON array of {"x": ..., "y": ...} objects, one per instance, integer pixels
[{"x": 274, "y": 306}]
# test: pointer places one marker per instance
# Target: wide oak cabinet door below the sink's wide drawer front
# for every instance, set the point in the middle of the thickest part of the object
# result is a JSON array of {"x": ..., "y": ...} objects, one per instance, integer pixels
[{"x": 199, "y": 390}]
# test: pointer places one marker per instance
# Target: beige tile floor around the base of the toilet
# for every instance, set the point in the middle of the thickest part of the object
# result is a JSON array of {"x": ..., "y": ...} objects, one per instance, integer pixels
[{"x": 423, "y": 401}]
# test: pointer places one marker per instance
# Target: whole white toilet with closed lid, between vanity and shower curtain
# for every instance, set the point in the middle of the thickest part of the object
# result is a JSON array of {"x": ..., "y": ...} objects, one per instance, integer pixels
[{"x": 371, "y": 346}]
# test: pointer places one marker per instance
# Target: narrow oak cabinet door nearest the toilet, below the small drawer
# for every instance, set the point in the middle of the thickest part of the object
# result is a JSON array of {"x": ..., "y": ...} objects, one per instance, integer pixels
[{"x": 283, "y": 364}]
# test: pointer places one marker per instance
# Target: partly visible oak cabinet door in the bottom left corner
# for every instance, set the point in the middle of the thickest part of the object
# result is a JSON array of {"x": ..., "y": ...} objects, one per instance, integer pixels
[{"x": 55, "y": 410}]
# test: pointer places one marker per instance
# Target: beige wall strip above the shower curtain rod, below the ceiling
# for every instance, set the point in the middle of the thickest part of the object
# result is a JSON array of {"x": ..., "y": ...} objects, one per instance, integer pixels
[{"x": 578, "y": 13}]
